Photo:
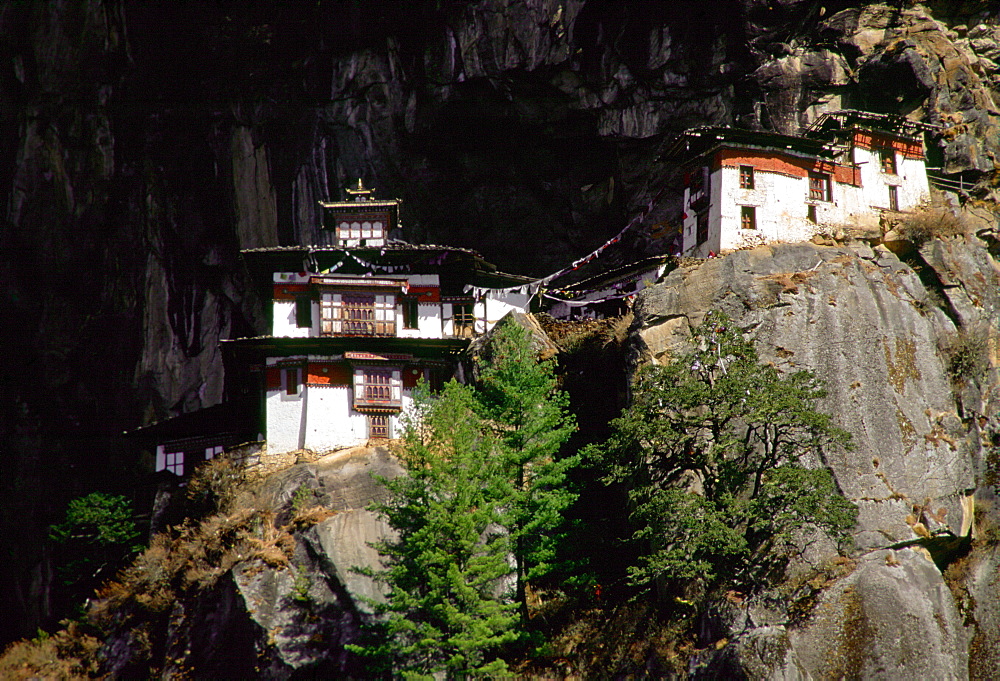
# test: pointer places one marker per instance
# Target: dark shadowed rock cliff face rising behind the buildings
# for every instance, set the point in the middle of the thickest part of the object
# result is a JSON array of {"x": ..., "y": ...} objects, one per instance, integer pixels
[{"x": 143, "y": 144}]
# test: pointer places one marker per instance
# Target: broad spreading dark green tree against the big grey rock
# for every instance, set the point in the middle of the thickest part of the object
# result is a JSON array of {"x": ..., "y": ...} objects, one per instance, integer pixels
[{"x": 711, "y": 447}]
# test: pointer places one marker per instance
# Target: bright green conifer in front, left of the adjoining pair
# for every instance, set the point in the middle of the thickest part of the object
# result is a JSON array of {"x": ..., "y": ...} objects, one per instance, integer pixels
[{"x": 446, "y": 610}]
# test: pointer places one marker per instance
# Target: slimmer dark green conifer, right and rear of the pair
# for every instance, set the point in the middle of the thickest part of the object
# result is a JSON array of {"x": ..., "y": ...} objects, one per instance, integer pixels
[{"x": 520, "y": 401}]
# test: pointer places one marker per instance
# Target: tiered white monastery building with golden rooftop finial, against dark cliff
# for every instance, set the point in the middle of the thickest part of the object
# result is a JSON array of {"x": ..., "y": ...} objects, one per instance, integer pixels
[{"x": 355, "y": 323}]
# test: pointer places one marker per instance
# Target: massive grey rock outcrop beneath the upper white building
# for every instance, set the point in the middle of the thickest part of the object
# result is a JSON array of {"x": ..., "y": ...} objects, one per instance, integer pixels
[{"x": 878, "y": 333}]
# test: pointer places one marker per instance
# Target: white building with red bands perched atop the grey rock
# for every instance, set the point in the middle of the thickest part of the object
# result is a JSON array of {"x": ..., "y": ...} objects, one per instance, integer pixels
[{"x": 746, "y": 187}]
